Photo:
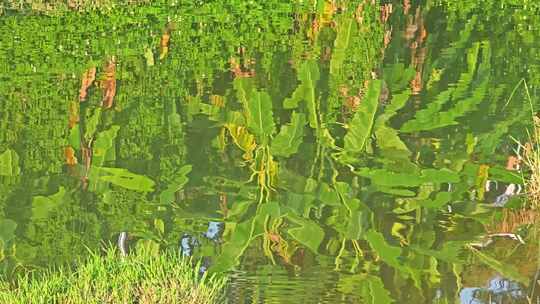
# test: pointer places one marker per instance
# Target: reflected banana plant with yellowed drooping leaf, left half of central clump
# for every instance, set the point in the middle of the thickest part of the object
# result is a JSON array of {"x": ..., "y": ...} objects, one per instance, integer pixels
[{"x": 270, "y": 217}]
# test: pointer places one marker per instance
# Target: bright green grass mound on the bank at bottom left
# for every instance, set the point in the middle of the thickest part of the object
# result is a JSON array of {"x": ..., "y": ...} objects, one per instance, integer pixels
[{"x": 138, "y": 278}]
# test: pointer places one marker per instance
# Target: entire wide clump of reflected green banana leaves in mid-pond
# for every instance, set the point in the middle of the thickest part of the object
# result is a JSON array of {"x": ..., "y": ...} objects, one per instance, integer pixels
[{"x": 282, "y": 227}]
